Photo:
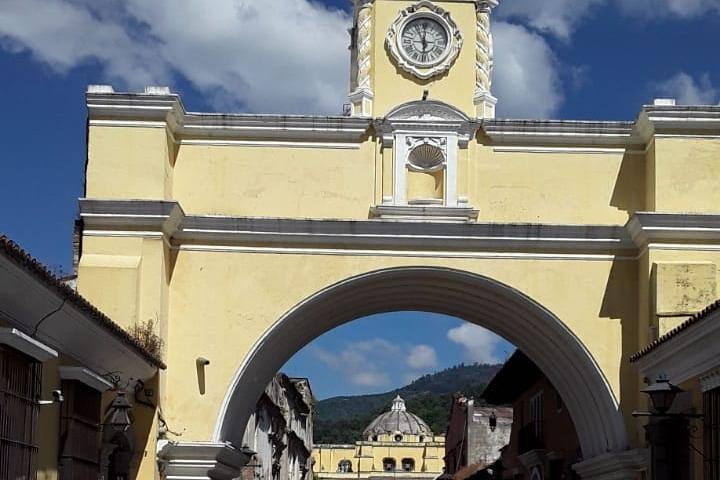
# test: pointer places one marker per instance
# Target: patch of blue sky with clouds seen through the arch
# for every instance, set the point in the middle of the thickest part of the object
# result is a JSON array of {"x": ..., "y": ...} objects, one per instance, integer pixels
[{"x": 381, "y": 352}]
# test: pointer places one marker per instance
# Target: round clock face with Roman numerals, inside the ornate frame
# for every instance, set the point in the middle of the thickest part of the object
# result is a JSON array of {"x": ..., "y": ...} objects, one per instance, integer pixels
[{"x": 424, "y": 41}]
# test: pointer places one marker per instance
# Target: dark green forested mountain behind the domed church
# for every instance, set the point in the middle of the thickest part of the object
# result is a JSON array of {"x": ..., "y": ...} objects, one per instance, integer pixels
[{"x": 343, "y": 419}]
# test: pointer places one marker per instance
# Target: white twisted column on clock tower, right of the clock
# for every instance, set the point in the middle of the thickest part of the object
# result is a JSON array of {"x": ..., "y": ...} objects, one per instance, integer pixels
[{"x": 483, "y": 99}]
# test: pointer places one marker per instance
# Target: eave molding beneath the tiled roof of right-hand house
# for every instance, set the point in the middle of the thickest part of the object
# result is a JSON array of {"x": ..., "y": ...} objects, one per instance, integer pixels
[{"x": 686, "y": 355}]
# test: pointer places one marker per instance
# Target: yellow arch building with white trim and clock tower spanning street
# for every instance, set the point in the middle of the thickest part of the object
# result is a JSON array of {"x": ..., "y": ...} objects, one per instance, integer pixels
[{"x": 247, "y": 236}]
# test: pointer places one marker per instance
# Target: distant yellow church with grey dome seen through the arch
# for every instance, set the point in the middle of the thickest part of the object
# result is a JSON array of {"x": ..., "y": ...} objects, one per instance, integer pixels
[{"x": 397, "y": 444}]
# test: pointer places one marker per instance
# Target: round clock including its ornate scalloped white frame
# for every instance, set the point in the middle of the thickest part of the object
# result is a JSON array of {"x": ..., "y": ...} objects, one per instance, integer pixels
[{"x": 424, "y": 40}]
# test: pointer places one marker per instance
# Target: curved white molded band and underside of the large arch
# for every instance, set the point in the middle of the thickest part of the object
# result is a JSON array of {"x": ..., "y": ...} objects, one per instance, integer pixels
[{"x": 474, "y": 298}]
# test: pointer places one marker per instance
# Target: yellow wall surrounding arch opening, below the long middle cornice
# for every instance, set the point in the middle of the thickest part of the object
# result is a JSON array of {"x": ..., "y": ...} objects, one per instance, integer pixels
[{"x": 203, "y": 317}]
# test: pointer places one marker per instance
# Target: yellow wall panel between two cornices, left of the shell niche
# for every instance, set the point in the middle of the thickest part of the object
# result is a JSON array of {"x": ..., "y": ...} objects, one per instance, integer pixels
[{"x": 260, "y": 181}]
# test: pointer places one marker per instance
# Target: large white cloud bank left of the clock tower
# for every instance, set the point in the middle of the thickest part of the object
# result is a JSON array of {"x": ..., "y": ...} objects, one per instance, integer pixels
[{"x": 260, "y": 55}]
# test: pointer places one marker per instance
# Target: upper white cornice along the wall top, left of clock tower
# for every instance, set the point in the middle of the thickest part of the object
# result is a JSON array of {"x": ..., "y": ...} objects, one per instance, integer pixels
[{"x": 127, "y": 109}]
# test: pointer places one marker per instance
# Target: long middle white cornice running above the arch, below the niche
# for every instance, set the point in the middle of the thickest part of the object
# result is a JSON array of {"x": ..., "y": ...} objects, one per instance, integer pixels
[{"x": 111, "y": 217}]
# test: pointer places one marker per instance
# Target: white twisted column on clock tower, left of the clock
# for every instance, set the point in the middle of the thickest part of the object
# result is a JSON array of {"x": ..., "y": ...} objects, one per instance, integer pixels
[{"x": 362, "y": 95}]
